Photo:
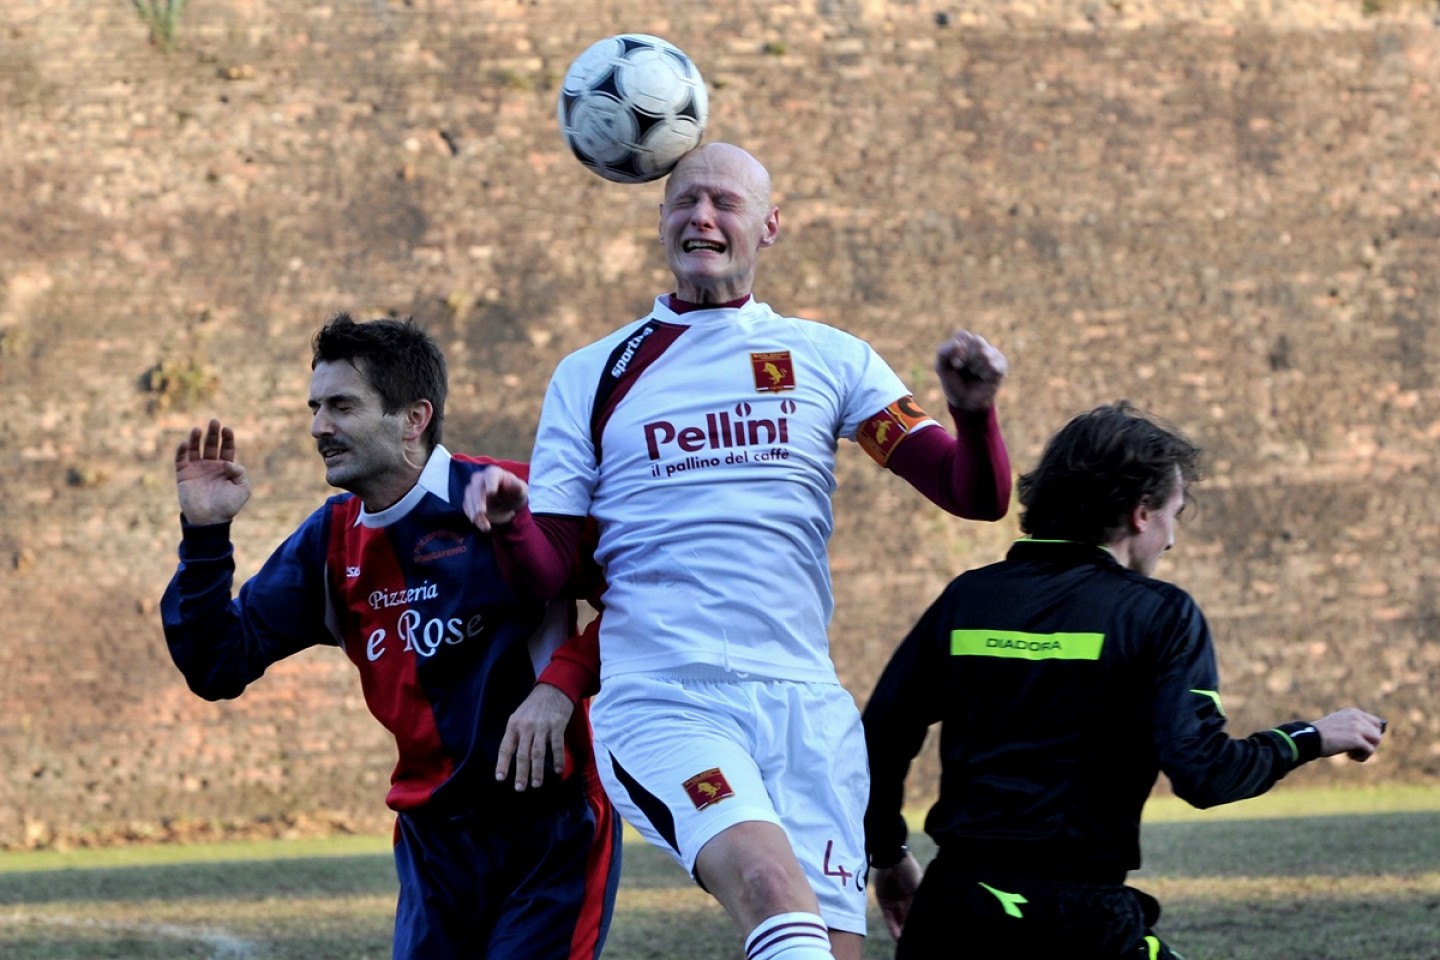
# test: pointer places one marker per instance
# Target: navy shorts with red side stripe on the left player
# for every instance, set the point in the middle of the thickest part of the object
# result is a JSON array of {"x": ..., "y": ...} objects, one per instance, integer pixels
[{"x": 535, "y": 880}]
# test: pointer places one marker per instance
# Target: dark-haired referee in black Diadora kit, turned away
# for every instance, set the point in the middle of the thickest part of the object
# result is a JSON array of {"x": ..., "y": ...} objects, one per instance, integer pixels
[{"x": 1065, "y": 679}]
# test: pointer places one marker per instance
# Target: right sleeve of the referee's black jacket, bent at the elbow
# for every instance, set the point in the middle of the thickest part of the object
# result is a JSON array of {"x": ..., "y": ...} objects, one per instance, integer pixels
[{"x": 1206, "y": 766}]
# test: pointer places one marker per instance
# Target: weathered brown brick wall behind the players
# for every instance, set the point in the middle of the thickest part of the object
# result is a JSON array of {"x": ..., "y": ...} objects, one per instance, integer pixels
[{"x": 1222, "y": 211}]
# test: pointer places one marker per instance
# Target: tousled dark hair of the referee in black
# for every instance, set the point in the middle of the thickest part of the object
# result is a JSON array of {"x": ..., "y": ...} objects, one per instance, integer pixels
[{"x": 1099, "y": 468}]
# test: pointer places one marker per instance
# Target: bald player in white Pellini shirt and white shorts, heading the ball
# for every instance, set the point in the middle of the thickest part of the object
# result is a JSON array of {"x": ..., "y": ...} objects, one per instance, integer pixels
[{"x": 702, "y": 440}]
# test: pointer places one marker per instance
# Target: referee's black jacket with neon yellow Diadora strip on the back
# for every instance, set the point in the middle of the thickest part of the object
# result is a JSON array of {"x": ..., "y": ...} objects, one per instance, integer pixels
[{"x": 1063, "y": 683}]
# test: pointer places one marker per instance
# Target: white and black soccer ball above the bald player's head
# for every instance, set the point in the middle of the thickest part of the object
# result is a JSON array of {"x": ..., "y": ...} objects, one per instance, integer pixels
[{"x": 631, "y": 107}]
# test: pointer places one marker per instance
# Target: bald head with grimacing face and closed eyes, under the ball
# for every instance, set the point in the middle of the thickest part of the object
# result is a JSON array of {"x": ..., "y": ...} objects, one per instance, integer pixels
[{"x": 715, "y": 221}]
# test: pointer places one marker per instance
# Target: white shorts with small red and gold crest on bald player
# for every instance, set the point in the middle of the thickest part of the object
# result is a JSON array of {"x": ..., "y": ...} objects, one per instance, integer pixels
[{"x": 686, "y": 759}]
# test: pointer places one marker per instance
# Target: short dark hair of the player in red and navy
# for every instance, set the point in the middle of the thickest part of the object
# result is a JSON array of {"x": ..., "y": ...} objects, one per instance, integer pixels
[{"x": 400, "y": 361}]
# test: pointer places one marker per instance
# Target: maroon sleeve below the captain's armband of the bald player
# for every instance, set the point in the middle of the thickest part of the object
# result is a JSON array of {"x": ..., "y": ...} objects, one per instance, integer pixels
[{"x": 968, "y": 474}]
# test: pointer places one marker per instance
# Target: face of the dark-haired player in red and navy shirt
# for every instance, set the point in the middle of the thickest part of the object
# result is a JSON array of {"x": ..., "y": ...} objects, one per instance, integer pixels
[{"x": 364, "y": 447}]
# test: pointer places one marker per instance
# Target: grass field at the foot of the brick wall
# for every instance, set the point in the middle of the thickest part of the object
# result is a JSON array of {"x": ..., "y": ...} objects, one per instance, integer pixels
[{"x": 1301, "y": 876}]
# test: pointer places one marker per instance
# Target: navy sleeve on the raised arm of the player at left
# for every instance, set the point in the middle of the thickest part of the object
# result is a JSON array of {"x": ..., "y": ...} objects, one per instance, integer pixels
[{"x": 221, "y": 644}]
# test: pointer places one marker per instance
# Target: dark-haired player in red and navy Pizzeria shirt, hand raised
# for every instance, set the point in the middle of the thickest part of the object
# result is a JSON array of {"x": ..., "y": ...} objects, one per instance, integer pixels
[{"x": 466, "y": 669}]
